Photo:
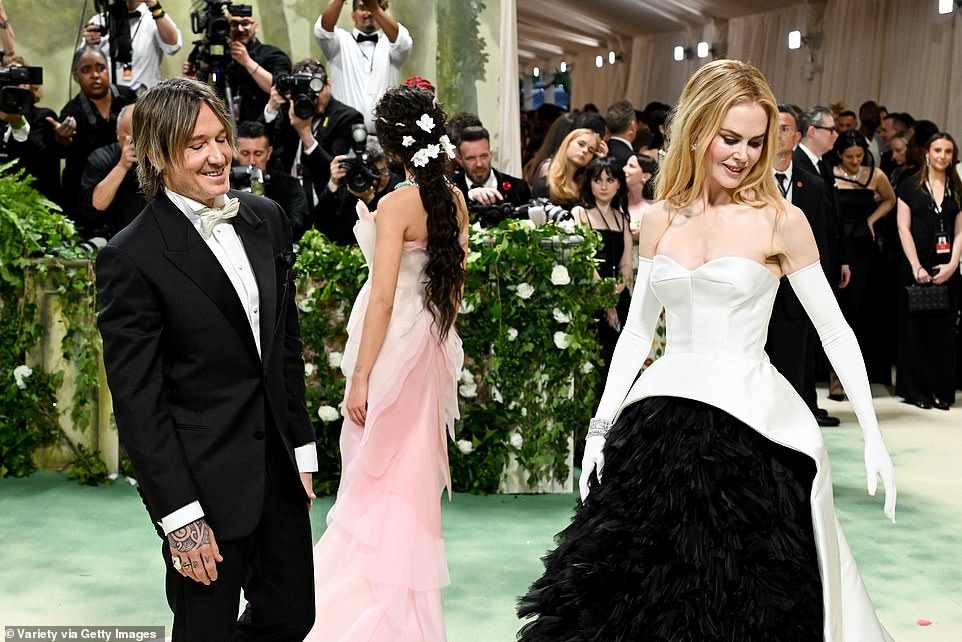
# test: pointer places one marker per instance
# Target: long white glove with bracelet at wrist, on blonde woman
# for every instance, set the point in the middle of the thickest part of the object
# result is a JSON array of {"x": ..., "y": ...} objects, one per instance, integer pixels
[{"x": 632, "y": 348}]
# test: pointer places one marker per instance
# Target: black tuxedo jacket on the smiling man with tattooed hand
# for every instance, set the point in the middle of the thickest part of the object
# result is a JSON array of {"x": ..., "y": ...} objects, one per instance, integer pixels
[{"x": 195, "y": 404}]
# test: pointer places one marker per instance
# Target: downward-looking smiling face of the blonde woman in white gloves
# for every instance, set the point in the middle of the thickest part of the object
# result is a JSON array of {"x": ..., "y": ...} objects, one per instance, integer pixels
[{"x": 737, "y": 146}]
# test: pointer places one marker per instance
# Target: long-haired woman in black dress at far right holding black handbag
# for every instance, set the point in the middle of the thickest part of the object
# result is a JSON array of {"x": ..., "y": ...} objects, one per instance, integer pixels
[{"x": 930, "y": 227}]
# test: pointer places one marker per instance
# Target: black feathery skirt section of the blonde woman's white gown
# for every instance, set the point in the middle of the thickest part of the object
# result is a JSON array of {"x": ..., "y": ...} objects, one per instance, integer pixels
[{"x": 702, "y": 531}]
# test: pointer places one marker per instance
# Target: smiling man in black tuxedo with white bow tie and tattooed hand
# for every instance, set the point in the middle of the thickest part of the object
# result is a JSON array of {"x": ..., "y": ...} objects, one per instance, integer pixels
[{"x": 203, "y": 356}]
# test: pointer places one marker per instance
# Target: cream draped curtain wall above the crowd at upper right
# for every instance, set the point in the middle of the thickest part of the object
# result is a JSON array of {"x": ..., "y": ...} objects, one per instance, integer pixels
[{"x": 900, "y": 53}]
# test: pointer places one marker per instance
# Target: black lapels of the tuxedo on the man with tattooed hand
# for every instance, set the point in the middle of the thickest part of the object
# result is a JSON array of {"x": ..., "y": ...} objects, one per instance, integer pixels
[{"x": 188, "y": 252}]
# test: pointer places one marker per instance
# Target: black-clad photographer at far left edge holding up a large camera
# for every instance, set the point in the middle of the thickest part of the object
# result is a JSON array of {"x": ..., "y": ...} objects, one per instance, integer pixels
[{"x": 28, "y": 136}]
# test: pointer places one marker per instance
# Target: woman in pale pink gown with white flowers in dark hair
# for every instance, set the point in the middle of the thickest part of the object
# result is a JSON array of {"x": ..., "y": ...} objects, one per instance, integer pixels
[{"x": 380, "y": 565}]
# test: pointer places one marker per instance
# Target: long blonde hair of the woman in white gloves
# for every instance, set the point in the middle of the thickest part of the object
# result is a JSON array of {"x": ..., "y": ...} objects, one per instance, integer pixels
[{"x": 694, "y": 123}]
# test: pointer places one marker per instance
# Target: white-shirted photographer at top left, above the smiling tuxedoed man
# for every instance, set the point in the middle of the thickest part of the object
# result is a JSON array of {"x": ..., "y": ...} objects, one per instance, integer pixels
[{"x": 144, "y": 34}]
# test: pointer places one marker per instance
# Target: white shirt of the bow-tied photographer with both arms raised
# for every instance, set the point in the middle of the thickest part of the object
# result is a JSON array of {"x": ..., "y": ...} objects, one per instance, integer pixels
[{"x": 362, "y": 72}]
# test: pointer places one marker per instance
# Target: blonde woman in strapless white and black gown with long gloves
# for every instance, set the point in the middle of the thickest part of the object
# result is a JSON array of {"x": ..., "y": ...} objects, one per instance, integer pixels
[{"x": 707, "y": 512}]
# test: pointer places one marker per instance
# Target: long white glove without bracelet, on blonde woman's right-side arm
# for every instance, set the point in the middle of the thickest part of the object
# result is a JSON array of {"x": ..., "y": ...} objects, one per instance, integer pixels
[{"x": 841, "y": 348}]
